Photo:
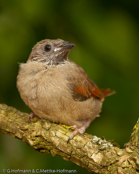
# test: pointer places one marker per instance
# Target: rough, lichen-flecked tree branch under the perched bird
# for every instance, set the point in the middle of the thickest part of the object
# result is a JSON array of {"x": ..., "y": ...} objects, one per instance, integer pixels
[{"x": 95, "y": 154}]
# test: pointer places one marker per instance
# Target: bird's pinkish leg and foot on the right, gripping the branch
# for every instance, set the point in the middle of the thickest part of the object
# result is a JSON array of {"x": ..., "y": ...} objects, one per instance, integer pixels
[{"x": 79, "y": 130}]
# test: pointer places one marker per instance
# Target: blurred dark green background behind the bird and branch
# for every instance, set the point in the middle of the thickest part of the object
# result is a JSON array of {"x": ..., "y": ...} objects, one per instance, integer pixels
[{"x": 107, "y": 47}]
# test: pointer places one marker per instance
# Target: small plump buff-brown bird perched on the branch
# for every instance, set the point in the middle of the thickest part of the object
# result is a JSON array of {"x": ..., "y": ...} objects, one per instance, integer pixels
[{"x": 57, "y": 89}]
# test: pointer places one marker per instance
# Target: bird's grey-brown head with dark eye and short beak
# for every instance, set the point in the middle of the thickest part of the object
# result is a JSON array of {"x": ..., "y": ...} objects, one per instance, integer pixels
[{"x": 51, "y": 51}]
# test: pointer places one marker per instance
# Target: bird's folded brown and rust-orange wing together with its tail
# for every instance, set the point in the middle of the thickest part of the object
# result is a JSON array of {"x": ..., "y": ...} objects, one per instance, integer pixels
[{"x": 84, "y": 88}]
